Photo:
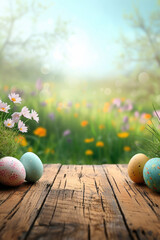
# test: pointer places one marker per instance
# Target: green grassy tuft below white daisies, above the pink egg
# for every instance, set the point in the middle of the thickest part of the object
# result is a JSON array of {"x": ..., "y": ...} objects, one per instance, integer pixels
[{"x": 8, "y": 145}]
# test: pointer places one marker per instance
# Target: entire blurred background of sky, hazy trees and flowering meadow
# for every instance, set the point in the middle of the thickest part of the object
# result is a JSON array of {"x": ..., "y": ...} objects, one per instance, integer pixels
[{"x": 90, "y": 68}]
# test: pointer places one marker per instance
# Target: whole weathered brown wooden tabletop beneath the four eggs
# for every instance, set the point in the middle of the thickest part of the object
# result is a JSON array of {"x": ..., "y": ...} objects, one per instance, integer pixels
[{"x": 80, "y": 202}]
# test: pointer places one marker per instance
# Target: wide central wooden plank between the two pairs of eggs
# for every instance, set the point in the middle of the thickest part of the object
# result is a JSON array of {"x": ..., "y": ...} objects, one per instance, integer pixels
[{"x": 80, "y": 205}]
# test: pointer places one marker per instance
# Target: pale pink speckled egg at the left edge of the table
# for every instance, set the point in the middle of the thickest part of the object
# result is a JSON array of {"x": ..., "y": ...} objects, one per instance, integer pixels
[{"x": 12, "y": 171}]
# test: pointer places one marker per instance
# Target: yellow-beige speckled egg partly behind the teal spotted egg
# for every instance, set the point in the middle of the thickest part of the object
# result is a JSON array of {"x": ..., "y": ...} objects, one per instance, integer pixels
[{"x": 135, "y": 167}]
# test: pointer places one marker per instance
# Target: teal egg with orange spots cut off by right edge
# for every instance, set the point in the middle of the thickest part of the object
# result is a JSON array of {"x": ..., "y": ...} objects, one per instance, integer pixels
[{"x": 151, "y": 174}]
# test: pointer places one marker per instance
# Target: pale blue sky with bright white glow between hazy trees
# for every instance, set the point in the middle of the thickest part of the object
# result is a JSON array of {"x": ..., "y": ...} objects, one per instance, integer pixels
[{"x": 96, "y": 26}]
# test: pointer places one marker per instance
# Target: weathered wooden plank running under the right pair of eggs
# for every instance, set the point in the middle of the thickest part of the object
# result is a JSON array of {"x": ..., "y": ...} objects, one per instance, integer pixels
[{"x": 138, "y": 205}]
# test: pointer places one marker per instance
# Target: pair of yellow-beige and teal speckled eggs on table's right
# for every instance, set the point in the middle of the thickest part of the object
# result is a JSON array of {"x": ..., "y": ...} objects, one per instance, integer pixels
[{"x": 142, "y": 169}]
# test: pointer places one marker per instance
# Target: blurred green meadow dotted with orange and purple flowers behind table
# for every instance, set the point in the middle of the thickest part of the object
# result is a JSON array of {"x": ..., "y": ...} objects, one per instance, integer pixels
[{"x": 81, "y": 123}]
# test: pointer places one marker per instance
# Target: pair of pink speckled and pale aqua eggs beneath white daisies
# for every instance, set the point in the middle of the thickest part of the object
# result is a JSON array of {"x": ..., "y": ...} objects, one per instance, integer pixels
[{"x": 14, "y": 172}]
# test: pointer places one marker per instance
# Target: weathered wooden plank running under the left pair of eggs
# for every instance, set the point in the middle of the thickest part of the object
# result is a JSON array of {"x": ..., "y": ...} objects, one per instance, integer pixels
[{"x": 18, "y": 212}]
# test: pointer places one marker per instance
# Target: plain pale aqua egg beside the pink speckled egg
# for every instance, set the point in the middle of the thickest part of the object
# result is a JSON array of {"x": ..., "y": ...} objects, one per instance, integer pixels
[{"x": 33, "y": 166}]
